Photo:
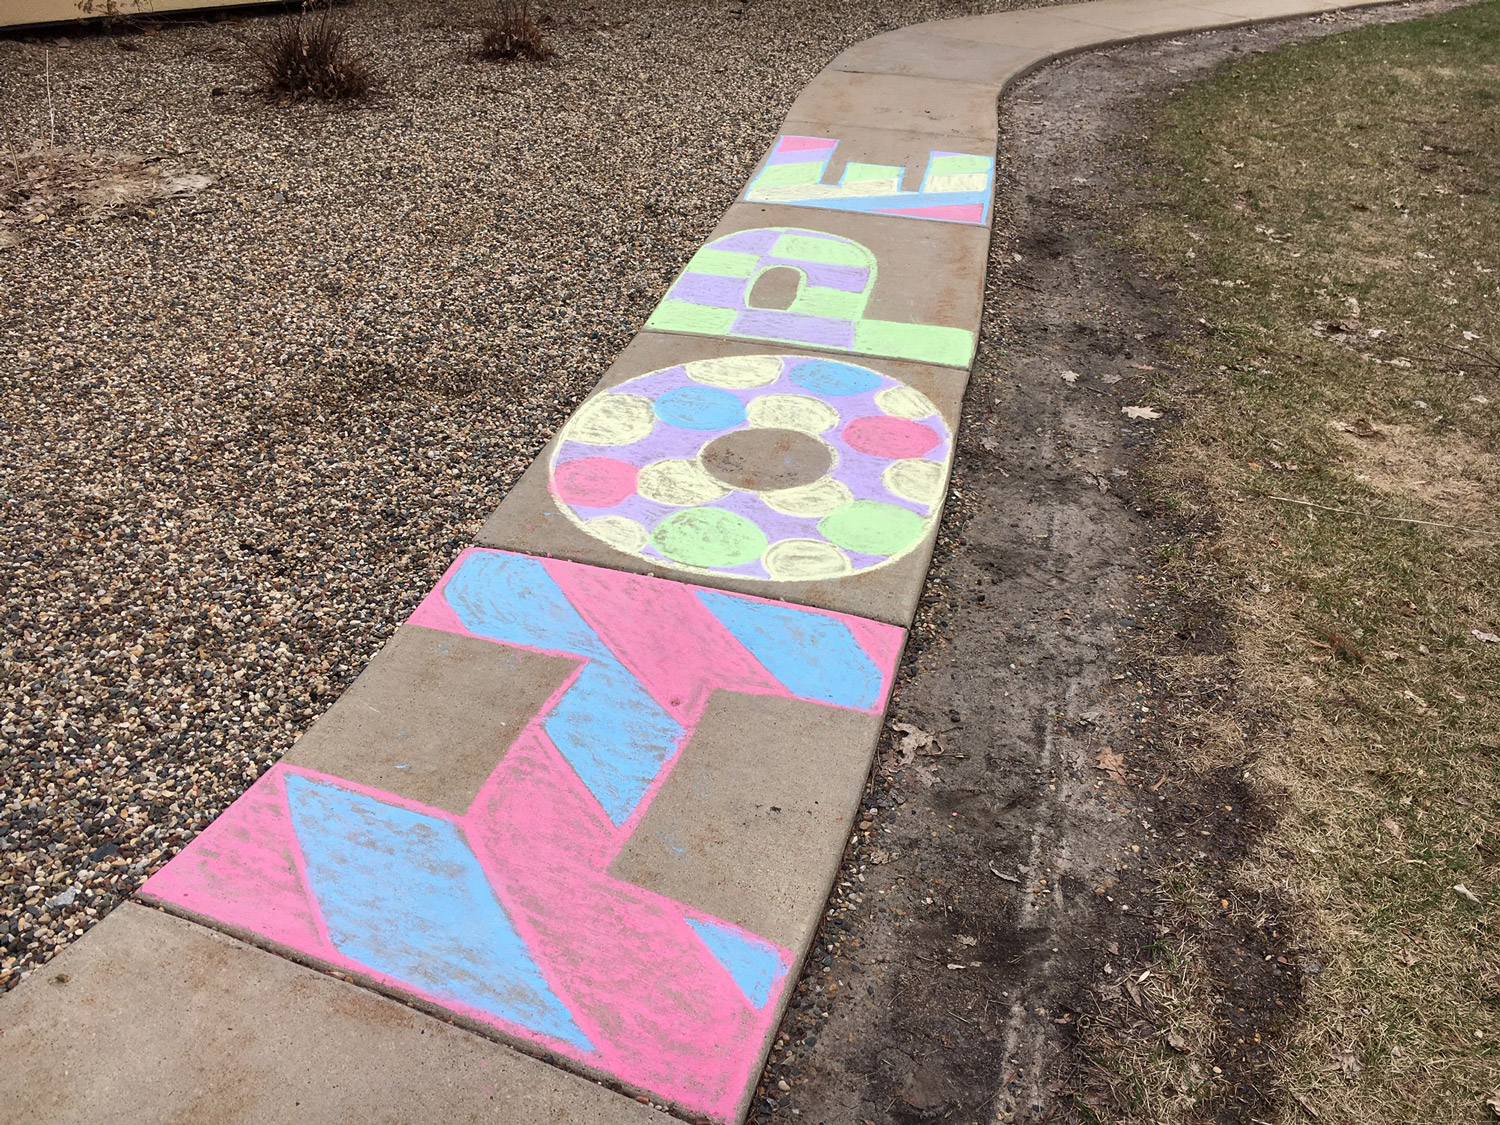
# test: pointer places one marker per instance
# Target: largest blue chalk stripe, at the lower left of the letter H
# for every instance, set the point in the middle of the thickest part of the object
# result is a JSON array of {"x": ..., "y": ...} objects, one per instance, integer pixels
[{"x": 401, "y": 893}]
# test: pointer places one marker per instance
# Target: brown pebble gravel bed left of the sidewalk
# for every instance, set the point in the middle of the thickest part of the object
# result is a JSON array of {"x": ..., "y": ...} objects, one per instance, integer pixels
[{"x": 245, "y": 430}]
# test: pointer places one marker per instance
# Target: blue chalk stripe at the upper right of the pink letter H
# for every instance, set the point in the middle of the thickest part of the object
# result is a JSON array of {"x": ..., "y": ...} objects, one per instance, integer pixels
[{"x": 814, "y": 656}]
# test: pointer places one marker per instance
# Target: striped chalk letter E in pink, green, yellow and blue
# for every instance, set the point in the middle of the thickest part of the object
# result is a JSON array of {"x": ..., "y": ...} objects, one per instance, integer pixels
[{"x": 955, "y": 187}]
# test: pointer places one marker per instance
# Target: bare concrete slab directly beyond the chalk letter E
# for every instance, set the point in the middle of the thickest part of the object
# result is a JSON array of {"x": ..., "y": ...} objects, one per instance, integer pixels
[{"x": 884, "y": 101}]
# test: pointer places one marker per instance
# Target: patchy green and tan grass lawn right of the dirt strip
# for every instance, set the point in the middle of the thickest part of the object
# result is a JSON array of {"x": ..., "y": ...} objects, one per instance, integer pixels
[{"x": 1333, "y": 215}]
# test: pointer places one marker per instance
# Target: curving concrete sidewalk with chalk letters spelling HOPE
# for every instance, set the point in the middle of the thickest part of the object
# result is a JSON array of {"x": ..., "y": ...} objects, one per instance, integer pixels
[{"x": 592, "y": 799}]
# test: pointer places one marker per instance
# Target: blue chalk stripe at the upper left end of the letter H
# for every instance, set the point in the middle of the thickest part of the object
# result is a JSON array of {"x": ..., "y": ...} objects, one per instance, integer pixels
[{"x": 512, "y": 599}]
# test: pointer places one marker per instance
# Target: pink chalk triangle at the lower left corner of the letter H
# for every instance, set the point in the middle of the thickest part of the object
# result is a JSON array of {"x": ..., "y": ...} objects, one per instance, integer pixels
[{"x": 245, "y": 871}]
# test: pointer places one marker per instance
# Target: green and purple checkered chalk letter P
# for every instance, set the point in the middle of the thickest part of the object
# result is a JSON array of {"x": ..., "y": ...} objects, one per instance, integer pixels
[{"x": 836, "y": 280}]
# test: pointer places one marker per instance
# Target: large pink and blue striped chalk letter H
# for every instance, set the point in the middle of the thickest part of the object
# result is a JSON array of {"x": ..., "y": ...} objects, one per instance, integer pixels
[{"x": 506, "y": 914}]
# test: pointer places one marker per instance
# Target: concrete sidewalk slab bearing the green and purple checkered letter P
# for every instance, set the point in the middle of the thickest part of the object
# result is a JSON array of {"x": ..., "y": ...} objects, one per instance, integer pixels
[{"x": 853, "y": 284}]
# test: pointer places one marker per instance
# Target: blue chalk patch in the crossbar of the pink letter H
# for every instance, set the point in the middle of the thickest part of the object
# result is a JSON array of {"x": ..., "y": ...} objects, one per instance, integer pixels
[{"x": 614, "y": 736}]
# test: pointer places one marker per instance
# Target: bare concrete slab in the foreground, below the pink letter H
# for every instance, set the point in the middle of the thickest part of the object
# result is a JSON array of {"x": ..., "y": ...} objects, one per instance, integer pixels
[{"x": 154, "y": 1019}]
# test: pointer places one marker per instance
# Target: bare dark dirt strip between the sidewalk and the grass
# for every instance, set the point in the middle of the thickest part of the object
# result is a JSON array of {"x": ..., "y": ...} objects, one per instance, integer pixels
[{"x": 1003, "y": 886}]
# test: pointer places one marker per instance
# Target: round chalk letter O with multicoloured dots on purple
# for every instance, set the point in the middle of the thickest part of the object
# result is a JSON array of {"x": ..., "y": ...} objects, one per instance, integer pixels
[{"x": 784, "y": 469}]
